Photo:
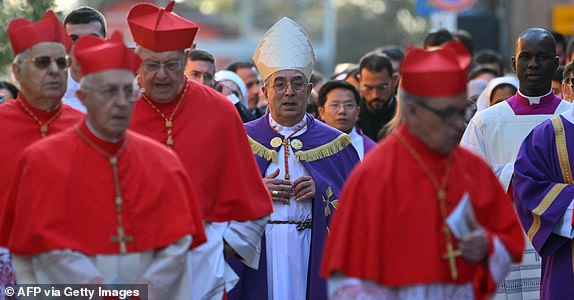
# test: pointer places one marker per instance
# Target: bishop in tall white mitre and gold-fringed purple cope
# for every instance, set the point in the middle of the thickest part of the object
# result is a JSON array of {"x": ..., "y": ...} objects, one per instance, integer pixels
[{"x": 304, "y": 164}]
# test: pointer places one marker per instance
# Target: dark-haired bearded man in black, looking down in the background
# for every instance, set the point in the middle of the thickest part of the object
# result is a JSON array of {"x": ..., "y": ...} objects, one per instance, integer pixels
[{"x": 377, "y": 82}]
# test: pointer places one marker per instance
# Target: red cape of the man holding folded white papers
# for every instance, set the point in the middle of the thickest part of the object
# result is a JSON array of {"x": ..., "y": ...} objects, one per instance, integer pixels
[{"x": 388, "y": 225}]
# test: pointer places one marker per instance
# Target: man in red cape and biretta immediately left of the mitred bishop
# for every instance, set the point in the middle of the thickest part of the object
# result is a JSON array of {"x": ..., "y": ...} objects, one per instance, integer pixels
[{"x": 204, "y": 129}]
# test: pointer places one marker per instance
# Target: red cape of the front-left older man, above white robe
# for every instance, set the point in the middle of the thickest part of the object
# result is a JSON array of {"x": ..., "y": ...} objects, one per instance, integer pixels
[{"x": 63, "y": 197}]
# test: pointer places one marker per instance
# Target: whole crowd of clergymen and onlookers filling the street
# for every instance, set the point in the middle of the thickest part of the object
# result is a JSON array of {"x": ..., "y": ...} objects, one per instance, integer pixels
[{"x": 432, "y": 173}]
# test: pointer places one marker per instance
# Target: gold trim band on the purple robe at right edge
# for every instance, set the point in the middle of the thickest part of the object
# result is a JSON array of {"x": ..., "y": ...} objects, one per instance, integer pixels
[{"x": 557, "y": 188}]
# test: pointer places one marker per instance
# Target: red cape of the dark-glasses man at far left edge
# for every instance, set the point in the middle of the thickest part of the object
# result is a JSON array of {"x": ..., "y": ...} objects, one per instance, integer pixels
[{"x": 19, "y": 130}]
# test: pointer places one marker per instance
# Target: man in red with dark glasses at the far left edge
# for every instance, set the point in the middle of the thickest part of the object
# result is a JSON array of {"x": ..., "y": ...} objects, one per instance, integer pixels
[{"x": 40, "y": 68}]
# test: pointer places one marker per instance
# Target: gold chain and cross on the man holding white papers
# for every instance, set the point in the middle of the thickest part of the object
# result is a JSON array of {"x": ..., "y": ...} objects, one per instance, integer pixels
[{"x": 451, "y": 253}]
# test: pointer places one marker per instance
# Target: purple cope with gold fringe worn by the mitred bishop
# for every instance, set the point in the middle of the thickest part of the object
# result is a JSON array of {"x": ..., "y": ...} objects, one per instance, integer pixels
[{"x": 327, "y": 172}]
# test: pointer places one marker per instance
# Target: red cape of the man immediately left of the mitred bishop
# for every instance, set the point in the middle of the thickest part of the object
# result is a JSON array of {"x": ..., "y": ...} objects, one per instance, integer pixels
[{"x": 212, "y": 144}]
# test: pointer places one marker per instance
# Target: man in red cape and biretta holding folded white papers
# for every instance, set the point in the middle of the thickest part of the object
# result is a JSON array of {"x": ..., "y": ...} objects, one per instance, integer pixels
[{"x": 422, "y": 217}]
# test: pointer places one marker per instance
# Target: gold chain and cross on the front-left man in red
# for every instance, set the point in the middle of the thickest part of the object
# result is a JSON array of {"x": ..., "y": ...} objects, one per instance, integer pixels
[{"x": 121, "y": 238}]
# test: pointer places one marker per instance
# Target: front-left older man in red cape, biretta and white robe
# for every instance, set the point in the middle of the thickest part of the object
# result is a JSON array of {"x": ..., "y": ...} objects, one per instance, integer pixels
[{"x": 96, "y": 178}]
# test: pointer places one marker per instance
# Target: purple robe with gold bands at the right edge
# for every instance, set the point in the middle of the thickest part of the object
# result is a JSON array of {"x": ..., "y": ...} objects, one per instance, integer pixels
[{"x": 542, "y": 197}]
